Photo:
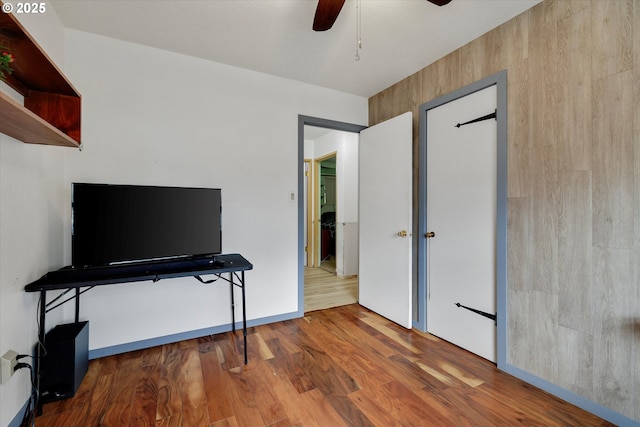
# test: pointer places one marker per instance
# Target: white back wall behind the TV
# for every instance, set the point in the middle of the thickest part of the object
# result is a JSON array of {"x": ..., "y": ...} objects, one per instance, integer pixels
[{"x": 155, "y": 117}]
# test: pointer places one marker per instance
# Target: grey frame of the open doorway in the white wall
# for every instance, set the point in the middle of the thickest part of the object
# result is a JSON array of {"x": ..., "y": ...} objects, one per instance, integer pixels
[{"x": 323, "y": 123}]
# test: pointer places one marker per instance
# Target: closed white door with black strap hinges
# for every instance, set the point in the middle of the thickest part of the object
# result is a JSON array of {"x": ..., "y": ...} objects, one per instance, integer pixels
[{"x": 461, "y": 214}]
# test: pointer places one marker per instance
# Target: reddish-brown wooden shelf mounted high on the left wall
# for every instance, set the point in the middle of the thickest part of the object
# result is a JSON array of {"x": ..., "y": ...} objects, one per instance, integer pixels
[{"x": 51, "y": 111}]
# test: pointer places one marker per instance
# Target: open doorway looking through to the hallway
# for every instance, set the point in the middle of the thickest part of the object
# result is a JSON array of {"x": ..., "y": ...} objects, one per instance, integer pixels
[{"x": 328, "y": 256}]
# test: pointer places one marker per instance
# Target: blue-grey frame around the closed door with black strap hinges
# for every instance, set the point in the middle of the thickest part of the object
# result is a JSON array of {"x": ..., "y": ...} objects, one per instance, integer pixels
[{"x": 500, "y": 80}]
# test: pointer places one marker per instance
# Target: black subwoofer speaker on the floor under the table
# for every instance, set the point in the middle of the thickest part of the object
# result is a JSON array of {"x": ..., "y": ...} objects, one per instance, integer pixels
[{"x": 66, "y": 361}]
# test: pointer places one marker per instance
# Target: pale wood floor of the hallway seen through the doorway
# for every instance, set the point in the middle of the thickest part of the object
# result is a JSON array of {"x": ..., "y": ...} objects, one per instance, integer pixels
[{"x": 322, "y": 289}]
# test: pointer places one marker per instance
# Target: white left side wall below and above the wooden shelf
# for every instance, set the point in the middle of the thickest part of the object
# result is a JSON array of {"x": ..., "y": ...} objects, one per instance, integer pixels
[{"x": 31, "y": 227}]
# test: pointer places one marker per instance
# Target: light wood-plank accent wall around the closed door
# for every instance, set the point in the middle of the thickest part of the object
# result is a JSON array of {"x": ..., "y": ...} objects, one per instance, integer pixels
[{"x": 573, "y": 83}]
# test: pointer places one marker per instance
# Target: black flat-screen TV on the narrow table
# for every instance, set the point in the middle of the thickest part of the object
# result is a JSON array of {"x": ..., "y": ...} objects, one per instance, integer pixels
[{"x": 114, "y": 224}]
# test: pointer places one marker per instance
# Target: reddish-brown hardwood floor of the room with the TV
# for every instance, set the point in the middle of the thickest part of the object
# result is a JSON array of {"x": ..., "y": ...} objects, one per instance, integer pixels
[{"x": 340, "y": 367}]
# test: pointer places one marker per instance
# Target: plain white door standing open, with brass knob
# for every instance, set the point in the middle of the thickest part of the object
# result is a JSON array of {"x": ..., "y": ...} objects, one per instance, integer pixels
[{"x": 385, "y": 194}]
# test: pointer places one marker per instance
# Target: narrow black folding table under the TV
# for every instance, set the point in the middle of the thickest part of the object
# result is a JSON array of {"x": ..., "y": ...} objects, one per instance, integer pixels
[{"x": 70, "y": 279}]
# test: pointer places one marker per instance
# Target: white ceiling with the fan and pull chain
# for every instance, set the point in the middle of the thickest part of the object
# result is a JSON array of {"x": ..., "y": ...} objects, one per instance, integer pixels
[{"x": 399, "y": 37}]
